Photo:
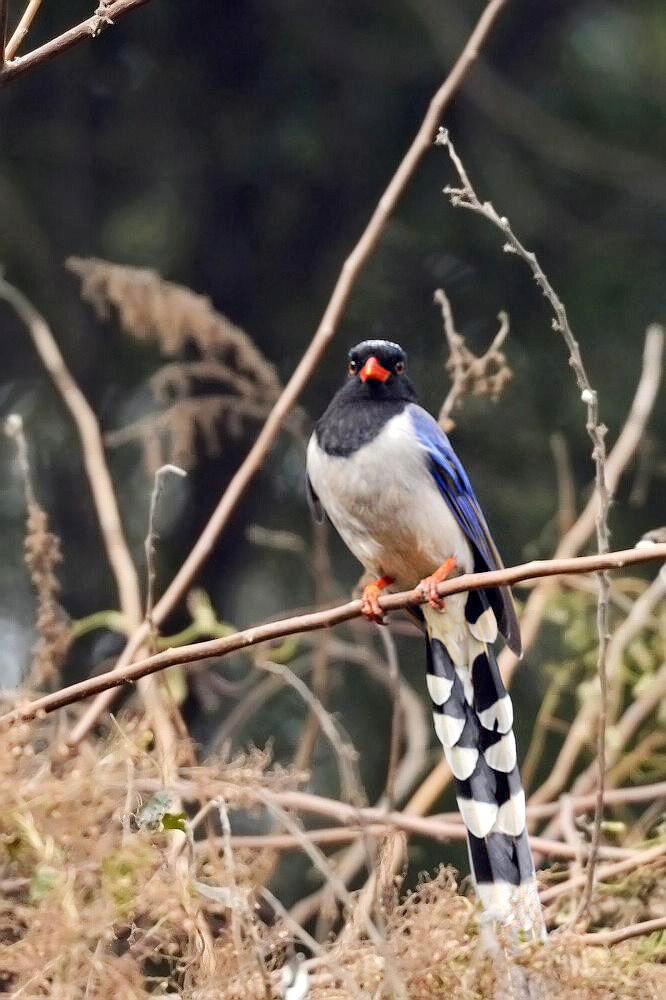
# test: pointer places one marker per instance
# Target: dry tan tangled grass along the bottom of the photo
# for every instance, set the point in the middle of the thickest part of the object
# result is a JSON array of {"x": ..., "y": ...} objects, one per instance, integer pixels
[{"x": 100, "y": 900}]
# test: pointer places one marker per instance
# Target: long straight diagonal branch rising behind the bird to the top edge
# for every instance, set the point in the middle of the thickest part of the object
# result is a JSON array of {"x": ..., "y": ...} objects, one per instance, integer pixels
[{"x": 351, "y": 269}]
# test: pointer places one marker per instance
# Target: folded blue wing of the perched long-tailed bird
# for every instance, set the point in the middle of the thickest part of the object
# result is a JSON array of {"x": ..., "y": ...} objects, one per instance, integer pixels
[{"x": 455, "y": 487}]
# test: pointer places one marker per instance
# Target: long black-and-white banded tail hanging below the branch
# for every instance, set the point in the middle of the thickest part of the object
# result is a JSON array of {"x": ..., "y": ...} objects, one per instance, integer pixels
[{"x": 473, "y": 718}]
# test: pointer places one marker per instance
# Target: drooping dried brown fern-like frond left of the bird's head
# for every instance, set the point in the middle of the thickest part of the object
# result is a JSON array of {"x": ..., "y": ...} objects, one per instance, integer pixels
[{"x": 179, "y": 319}]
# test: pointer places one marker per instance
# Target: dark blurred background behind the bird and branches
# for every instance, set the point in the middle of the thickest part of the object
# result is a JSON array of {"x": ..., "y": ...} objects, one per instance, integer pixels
[{"x": 239, "y": 148}]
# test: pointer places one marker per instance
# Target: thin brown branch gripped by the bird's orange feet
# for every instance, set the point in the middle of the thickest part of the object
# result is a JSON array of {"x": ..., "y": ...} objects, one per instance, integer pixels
[{"x": 123, "y": 673}]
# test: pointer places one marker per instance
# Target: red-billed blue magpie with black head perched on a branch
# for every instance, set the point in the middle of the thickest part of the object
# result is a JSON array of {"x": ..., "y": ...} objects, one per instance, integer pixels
[{"x": 385, "y": 473}]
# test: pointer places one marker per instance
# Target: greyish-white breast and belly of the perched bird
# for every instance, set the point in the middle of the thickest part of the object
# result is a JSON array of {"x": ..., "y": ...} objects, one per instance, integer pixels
[{"x": 386, "y": 505}]
